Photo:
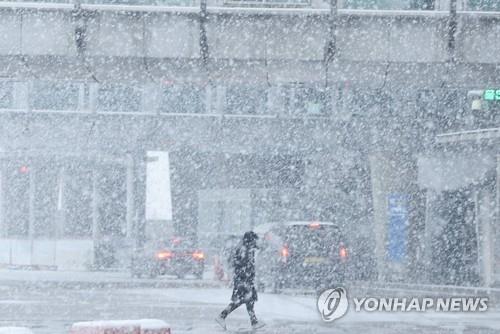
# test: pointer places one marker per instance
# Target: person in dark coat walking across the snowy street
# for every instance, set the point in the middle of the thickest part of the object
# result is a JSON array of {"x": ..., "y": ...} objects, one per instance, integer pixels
[{"x": 244, "y": 292}]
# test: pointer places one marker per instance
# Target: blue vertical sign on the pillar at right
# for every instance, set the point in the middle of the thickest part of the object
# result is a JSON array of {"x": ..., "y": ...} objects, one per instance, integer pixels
[{"x": 398, "y": 222}]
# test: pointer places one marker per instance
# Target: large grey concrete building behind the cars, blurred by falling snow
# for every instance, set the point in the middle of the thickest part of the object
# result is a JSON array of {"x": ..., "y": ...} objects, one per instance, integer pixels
[{"x": 267, "y": 114}]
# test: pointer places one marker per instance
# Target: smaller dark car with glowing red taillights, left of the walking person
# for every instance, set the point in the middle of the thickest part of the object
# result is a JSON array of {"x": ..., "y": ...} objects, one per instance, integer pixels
[{"x": 179, "y": 258}]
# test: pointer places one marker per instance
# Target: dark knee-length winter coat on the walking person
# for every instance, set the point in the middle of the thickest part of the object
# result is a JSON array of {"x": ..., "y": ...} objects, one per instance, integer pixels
[{"x": 244, "y": 274}]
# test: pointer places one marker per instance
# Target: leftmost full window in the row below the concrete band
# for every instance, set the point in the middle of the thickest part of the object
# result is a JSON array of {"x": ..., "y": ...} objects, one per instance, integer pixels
[{"x": 47, "y": 95}]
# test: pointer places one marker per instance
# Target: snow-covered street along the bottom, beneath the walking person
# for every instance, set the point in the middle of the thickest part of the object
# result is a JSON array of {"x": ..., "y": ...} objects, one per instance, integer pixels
[{"x": 190, "y": 308}]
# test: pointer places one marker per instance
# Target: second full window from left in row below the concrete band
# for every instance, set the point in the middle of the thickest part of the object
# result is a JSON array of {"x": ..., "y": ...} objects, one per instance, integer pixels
[{"x": 119, "y": 98}]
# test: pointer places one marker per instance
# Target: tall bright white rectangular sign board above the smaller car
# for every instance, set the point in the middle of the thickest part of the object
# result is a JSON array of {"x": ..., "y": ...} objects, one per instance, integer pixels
[{"x": 158, "y": 194}]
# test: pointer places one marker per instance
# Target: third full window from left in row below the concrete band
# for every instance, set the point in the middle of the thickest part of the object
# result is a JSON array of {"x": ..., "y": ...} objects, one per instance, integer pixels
[{"x": 182, "y": 99}]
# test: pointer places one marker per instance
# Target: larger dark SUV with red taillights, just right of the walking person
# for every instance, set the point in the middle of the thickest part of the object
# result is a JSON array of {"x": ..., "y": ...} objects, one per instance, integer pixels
[{"x": 300, "y": 254}]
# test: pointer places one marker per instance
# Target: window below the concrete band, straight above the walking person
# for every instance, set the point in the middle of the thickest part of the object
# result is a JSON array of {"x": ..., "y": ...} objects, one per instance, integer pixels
[{"x": 245, "y": 100}]
